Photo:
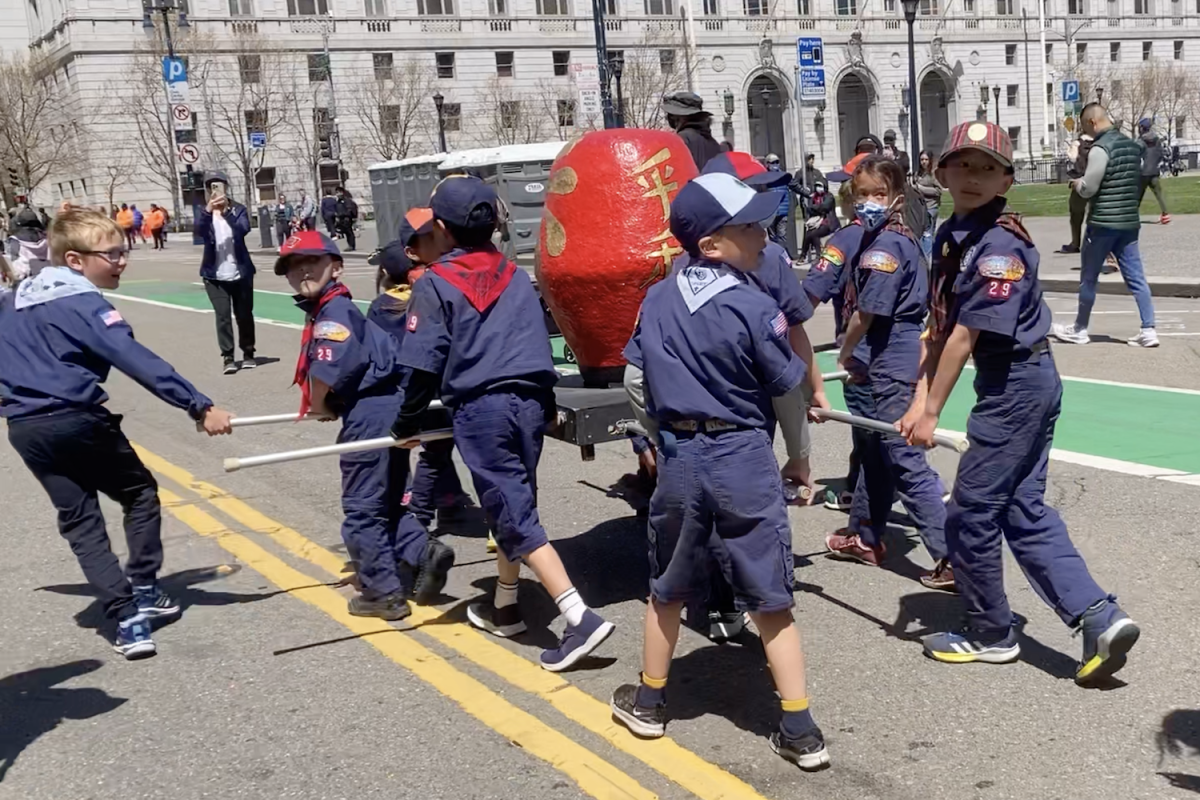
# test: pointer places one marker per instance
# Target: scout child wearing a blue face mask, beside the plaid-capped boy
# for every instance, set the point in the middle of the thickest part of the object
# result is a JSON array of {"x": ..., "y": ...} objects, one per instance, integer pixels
[{"x": 889, "y": 293}]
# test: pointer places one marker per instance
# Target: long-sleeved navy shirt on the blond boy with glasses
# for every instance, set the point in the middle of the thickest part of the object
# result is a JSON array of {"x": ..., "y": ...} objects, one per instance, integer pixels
[{"x": 55, "y": 357}]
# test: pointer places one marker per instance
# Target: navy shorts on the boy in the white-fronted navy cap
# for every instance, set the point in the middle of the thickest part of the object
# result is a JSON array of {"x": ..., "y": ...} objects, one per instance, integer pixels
[{"x": 722, "y": 491}]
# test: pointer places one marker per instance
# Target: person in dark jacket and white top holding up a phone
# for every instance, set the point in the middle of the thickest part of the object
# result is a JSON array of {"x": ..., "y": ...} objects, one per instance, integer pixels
[{"x": 227, "y": 272}]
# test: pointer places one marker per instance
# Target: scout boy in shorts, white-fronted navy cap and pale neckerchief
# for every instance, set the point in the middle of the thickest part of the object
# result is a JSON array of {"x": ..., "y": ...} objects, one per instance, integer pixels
[{"x": 715, "y": 352}]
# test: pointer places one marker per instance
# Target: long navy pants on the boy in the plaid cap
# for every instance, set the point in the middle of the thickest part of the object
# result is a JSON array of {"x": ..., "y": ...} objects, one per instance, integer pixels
[{"x": 1000, "y": 496}]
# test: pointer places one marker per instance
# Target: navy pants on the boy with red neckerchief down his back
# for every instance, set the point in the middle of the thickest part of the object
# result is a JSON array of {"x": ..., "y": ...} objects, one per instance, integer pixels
[{"x": 500, "y": 437}]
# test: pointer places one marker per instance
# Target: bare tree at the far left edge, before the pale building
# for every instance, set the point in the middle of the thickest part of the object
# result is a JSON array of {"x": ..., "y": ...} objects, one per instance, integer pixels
[{"x": 40, "y": 125}]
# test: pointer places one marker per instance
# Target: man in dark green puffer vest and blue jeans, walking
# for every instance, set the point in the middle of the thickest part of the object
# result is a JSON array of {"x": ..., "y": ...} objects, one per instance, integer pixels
[{"x": 1113, "y": 183}]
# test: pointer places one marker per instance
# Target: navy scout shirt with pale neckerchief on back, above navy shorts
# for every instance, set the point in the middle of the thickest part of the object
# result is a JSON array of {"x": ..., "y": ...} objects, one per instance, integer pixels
[{"x": 723, "y": 359}]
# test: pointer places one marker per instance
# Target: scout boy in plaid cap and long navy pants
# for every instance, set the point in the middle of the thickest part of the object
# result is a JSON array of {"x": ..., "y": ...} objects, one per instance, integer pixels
[{"x": 988, "y": 305}]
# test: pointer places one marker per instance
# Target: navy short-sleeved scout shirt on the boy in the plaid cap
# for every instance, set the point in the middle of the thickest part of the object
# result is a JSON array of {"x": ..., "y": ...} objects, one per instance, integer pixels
[{"x": 997, "y": 292}]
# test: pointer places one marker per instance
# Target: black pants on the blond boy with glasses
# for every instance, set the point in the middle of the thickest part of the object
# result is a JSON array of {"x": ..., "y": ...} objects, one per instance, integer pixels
[{"x": 77, "y": 455}]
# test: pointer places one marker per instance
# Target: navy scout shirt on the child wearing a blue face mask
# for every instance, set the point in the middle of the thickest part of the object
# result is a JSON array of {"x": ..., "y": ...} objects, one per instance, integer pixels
[{"x": 893, "y": 286}]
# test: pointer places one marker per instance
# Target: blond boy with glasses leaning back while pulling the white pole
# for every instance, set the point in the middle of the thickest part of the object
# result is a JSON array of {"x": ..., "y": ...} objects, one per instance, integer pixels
[{"x": 59, "y": 339}]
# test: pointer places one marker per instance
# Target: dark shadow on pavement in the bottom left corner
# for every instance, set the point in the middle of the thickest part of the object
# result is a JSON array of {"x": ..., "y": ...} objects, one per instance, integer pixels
[{"x": 31, "y": 706}]
